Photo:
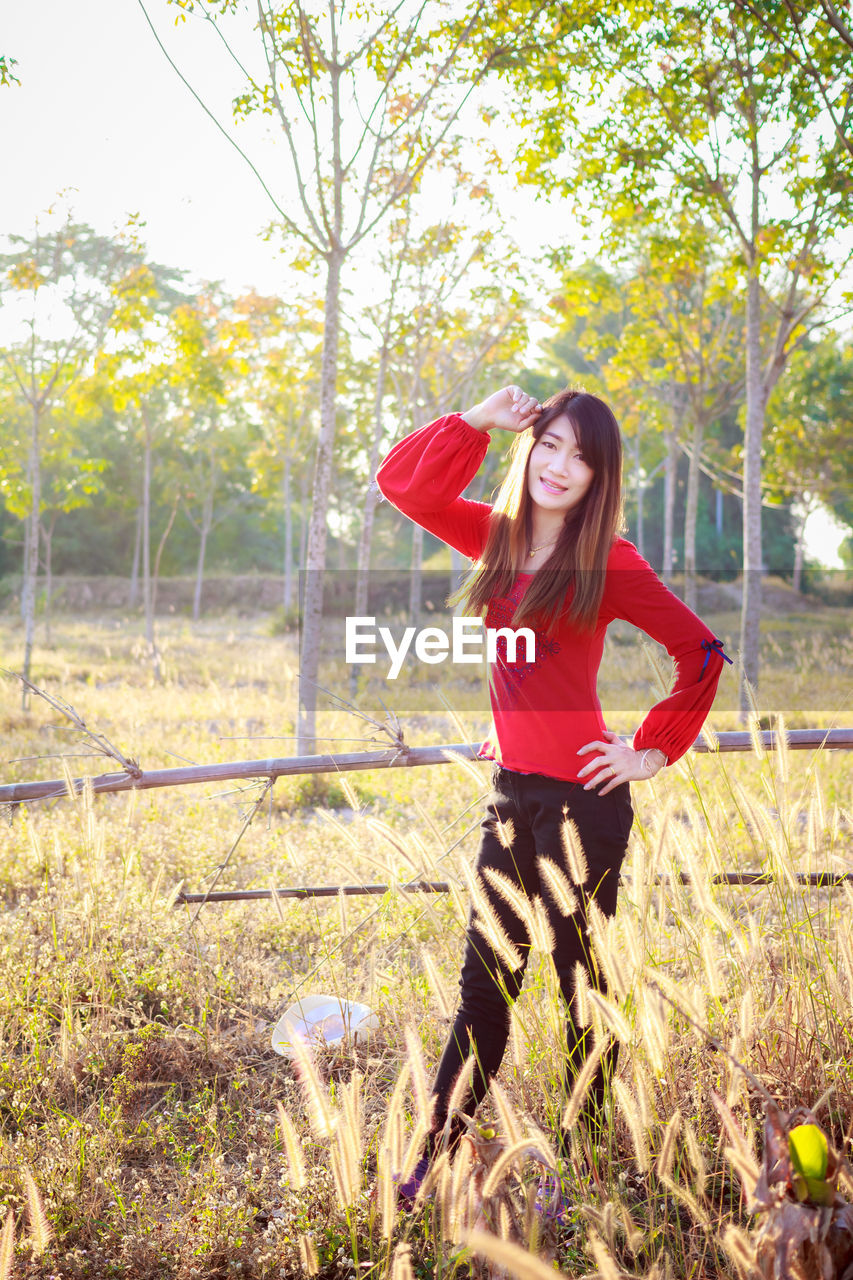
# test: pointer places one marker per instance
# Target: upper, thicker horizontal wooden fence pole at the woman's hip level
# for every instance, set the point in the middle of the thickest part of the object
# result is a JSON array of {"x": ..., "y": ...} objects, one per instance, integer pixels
[{"x": 393, "y": 758}]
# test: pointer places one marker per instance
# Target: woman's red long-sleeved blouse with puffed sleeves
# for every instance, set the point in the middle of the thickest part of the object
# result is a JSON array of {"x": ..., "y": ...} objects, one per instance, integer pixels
[{"x": 546, "y": 710}]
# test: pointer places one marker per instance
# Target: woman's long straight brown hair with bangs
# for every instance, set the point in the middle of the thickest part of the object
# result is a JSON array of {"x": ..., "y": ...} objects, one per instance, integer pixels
[{"x": 573, "y": 583}]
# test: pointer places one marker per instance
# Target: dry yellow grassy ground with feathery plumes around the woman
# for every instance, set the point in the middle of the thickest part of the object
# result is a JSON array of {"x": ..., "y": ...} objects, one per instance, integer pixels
[{"x": 142, "y": 1123}]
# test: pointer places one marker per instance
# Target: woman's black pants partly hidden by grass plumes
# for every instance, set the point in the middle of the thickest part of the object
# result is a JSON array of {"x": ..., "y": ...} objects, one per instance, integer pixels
[{"x": 535, "y": 808}]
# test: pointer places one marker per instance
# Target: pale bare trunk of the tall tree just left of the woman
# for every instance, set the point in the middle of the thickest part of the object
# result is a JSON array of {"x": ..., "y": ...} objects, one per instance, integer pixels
[{"x": 317, "y": 541}]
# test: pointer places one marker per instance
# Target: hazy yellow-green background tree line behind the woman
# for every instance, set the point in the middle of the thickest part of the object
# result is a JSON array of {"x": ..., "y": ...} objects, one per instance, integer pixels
[{"x": 186, "y": 437}]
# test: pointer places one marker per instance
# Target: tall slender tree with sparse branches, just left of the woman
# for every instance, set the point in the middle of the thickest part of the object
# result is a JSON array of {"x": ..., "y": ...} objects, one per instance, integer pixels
[{"x": 366, "y": 99}]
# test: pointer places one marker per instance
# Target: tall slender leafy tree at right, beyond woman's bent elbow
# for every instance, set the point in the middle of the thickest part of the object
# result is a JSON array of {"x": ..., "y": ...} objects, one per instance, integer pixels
[{"x": 706, "y": 111}]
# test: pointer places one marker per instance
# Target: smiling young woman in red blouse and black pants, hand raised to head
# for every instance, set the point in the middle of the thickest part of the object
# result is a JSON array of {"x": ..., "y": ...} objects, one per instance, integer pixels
[{"x": 549, "y": 557}]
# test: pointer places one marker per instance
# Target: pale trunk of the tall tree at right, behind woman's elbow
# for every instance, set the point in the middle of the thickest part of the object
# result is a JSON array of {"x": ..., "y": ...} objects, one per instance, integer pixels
[{"x": 752, "y": 559}]
